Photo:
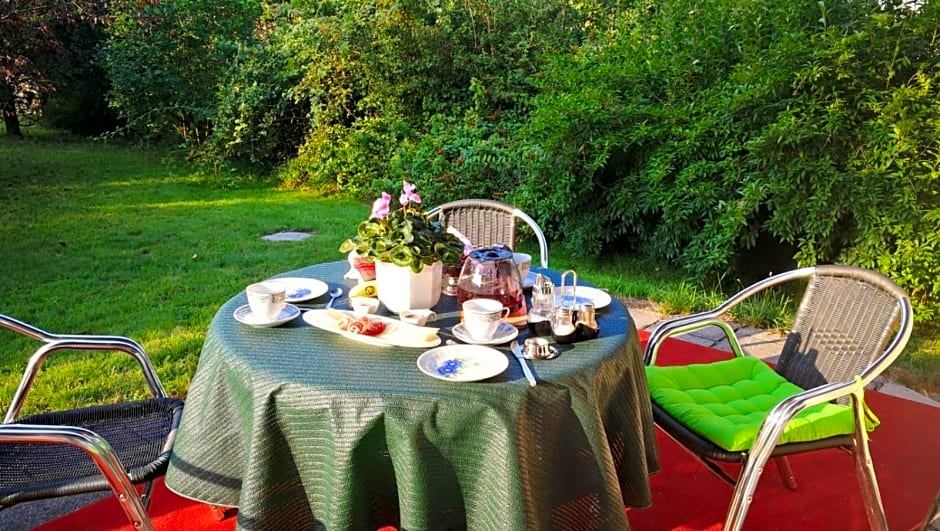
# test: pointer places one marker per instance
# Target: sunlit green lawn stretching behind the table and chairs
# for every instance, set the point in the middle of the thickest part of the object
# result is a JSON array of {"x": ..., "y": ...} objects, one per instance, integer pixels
[{"x": 99, "y": 238}]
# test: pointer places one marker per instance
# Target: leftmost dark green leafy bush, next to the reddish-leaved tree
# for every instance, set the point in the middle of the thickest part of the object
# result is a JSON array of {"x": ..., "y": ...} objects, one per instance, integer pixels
[{"x": 167, "y": 59}]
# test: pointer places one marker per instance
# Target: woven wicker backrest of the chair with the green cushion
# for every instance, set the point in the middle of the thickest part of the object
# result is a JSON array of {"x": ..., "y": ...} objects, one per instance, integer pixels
[{"x": 851, "y": 323}]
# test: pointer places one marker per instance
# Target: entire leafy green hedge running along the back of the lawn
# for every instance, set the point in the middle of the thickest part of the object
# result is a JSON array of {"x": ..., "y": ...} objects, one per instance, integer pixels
[{"x": 712, "y": 136}]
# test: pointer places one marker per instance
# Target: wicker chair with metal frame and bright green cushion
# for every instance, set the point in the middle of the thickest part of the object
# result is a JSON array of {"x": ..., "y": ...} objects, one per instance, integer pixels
[{"x": 850, "y": 326}]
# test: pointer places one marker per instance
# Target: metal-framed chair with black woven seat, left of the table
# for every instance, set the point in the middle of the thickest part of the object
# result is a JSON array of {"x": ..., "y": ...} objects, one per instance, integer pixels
[{"x": 97, "y": 448}]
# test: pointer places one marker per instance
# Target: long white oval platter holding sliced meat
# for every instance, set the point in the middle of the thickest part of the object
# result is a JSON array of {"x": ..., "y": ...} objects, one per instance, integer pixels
[{"x": 396, "y": 332}]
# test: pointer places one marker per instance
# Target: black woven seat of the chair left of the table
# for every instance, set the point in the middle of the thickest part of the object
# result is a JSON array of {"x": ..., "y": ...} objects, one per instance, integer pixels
[{"x": 137, "y": 431}]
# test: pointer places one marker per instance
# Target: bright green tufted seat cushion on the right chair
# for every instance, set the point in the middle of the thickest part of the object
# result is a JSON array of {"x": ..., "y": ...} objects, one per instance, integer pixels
[{"x": 726, "y": 402}]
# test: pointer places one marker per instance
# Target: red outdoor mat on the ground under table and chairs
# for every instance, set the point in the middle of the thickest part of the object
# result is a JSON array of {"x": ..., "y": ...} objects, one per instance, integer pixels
[{"x": 688, "y": 497}]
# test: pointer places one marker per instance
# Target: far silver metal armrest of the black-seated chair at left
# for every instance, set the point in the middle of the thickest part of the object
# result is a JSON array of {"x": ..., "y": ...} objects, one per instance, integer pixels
[{"x": 92, "y": 343}]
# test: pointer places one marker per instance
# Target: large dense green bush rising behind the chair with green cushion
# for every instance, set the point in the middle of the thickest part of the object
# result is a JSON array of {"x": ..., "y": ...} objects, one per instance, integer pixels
[{"x": 710, "y": 127}]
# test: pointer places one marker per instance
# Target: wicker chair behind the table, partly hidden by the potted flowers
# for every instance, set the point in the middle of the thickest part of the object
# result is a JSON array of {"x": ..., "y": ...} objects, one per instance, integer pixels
[{"x": 486, "y": 223}]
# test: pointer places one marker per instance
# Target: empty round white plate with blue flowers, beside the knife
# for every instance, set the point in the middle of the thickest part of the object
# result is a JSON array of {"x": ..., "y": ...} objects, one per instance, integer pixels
[{"x": 462, "y": 363}]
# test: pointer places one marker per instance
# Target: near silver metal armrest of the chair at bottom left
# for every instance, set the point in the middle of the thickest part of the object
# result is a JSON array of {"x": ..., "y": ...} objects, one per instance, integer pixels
[{"x": 97, "y": 449}]
